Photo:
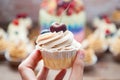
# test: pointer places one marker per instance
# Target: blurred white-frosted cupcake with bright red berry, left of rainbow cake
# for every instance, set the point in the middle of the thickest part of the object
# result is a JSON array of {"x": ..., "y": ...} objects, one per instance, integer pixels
[{"x": 16, "y": 30}]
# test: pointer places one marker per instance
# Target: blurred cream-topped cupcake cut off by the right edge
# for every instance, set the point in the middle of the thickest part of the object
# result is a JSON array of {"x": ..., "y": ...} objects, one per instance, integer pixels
[{"x": 114, "y": 46}]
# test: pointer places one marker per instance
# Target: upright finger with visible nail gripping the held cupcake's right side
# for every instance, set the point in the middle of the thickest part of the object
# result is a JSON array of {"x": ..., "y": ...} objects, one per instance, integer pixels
[{"x": 78, "y": 66}]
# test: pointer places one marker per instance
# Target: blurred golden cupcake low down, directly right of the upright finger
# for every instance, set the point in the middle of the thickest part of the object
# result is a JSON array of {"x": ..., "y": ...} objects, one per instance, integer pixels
[{"x": 90, "y": 58}]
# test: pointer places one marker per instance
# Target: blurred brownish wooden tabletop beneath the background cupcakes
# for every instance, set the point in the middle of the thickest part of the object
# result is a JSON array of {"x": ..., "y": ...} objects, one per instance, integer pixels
[{"x": 105, "y": 69}]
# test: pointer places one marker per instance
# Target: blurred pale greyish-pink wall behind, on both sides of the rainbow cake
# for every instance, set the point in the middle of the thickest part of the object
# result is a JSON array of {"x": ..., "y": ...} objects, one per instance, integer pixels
[{"x": 93, "y": 8}]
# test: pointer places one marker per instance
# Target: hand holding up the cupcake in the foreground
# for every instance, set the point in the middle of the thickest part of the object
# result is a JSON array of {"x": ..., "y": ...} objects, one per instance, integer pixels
[{"x": 27, "y": 67}]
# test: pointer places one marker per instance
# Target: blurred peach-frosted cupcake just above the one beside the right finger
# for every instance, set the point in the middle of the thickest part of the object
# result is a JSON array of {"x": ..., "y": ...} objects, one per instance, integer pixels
[{"x": 97, "y": 42}]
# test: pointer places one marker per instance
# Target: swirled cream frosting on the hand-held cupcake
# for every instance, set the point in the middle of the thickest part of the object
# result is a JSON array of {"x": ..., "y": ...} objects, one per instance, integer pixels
[{"x": 57, "y": 41}]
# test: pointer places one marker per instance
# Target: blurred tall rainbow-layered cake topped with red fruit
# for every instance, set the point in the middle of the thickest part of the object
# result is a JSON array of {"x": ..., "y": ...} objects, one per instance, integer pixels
[{"x": 69, "y": 10}]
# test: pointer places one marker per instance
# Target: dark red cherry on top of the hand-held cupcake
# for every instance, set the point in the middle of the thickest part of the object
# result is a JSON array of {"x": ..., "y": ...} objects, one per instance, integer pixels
[{"x": 56, "y": 27}]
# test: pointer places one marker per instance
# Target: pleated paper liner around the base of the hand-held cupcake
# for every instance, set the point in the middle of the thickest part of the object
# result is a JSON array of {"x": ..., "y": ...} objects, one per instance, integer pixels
[{"x": 58, "y": 60}]
